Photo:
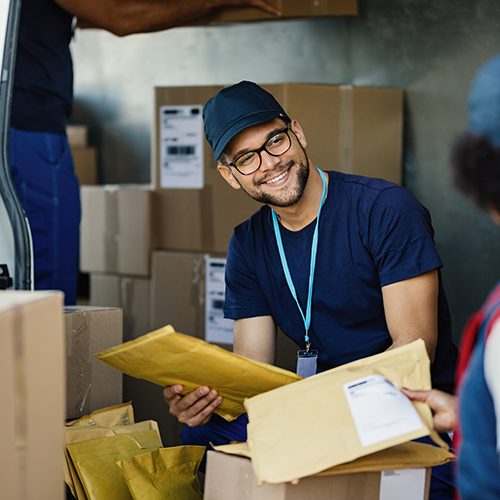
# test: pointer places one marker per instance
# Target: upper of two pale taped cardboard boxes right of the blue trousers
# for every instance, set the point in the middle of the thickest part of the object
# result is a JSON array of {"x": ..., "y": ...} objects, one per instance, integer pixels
[{"x": 117, "y": 229}]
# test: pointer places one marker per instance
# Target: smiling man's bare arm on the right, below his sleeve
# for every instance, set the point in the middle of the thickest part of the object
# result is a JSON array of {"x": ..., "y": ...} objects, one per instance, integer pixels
[{"x": 411, "y": 310}]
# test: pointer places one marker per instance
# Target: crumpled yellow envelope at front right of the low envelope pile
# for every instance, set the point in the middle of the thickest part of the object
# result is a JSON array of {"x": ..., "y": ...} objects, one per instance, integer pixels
[{"x": 164, "y": 474}]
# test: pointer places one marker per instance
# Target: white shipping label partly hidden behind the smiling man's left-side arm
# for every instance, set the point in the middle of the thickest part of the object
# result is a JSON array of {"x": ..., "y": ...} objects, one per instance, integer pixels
[{"x": 217, "y": 328}]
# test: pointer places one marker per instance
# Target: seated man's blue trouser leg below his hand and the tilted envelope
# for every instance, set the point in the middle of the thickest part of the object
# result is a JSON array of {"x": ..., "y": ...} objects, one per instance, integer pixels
[{"x": 218, "y": 431}]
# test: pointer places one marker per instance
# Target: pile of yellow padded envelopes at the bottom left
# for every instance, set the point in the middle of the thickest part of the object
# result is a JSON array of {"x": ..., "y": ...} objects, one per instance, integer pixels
[{"x": 110, "y": 457}]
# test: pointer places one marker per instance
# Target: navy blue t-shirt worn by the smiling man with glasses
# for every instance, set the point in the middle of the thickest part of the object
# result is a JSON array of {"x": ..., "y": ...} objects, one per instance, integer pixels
[{"x": 371, "y": 233}]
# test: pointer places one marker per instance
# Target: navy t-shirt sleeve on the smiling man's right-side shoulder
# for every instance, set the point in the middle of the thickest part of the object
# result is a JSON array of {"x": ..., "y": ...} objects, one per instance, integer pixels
[{"x": 401, "y": 237}]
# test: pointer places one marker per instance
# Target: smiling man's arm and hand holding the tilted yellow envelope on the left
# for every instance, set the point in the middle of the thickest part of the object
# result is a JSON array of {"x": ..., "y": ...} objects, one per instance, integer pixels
[{"x": 254, "y": 338}]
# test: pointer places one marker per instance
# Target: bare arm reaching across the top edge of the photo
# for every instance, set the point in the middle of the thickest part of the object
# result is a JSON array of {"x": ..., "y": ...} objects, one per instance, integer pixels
[{"x": 124, "y": 17}]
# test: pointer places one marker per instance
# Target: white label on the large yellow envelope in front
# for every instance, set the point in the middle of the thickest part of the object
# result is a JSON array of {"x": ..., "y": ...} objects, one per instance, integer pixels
[{"x": 380, "y": 411}]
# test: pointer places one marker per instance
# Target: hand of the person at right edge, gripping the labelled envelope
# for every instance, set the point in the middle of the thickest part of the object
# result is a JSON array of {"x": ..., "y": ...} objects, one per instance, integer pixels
[{"x": 443, "y": 405}]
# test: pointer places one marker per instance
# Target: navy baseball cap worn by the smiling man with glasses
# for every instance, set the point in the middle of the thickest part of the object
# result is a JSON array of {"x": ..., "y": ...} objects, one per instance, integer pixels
[{"x": 235, "y": 109}]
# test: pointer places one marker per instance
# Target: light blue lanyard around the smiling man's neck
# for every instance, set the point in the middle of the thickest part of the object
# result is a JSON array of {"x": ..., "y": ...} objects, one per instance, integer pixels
[{"x": 314, "y": 250}]
